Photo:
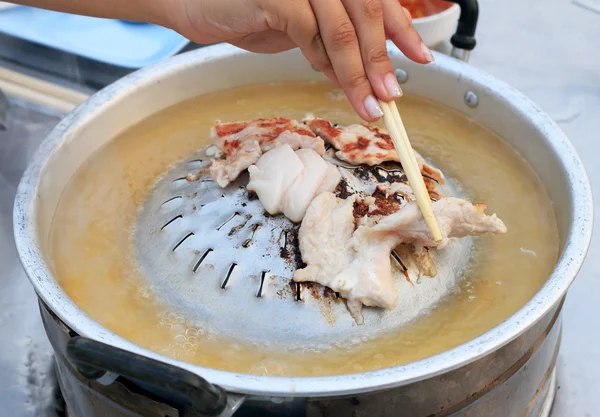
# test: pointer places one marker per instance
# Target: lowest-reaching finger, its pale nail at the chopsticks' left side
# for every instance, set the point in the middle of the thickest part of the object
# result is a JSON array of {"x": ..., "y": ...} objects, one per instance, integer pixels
[{"x": 341, "y": 43}]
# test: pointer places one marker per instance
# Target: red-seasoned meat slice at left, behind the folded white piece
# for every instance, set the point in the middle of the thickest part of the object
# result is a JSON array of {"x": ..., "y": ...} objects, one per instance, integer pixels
[{"x": 243, "y": 143}]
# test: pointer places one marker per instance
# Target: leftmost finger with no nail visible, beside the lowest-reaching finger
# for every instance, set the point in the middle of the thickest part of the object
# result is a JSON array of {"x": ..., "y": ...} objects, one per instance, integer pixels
[{"x": 300, "y": 23}]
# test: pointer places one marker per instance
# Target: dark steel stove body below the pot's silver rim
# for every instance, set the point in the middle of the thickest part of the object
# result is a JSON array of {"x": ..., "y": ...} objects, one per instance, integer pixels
[{"x": 514, "y": 381}]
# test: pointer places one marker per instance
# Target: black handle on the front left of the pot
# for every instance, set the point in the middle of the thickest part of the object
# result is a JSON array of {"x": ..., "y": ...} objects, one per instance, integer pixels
[{"x": 94, "y": 360}]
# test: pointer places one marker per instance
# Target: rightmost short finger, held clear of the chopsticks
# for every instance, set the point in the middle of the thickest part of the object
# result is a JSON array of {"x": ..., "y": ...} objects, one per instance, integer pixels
[{"x": 399, "y": 29}]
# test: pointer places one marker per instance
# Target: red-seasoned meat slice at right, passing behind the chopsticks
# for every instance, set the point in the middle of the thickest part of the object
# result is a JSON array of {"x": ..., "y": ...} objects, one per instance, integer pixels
[{"x": 360, "y": 144}]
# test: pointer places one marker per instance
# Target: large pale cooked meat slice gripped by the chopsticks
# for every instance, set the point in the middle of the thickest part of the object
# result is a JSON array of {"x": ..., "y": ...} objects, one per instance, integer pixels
[{"x": 356, "y": 263}]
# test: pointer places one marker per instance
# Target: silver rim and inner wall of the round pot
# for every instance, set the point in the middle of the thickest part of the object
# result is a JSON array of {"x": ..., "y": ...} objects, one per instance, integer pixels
[{"x": 116, "y": 108}]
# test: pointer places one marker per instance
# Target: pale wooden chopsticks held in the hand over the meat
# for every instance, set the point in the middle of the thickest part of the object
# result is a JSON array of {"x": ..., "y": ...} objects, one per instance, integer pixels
[{"x": 394, "y": 124}]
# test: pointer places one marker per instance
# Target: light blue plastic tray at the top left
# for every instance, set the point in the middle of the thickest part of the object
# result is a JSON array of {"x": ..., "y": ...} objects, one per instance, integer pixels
[{"x": 114, "y": 42}]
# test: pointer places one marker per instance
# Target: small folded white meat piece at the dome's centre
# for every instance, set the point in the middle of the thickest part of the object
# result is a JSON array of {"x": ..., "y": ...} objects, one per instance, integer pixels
[{"x": 286, "y": 181}]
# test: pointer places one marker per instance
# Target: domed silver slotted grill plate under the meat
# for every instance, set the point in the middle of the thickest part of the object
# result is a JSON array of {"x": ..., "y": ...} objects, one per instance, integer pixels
[{"x": 217, "y": 257}]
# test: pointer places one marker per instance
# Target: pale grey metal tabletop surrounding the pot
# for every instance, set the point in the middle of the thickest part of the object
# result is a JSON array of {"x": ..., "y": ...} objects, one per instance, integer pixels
[{"x": 547, "y": 49}]
